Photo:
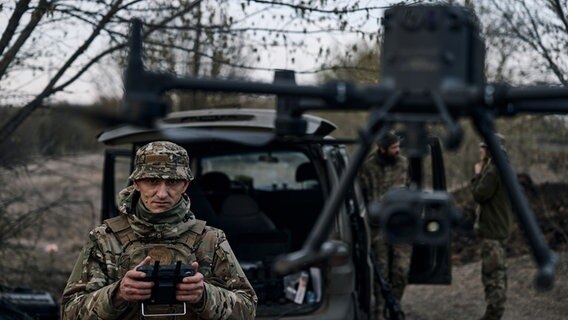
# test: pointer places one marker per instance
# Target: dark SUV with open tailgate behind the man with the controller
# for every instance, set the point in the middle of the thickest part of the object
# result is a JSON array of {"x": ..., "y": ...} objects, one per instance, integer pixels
[{"x": 266, "y": 194}]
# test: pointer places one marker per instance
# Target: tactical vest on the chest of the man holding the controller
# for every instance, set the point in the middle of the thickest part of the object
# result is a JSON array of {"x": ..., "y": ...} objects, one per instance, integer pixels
[{"x": 167, "y": 251}]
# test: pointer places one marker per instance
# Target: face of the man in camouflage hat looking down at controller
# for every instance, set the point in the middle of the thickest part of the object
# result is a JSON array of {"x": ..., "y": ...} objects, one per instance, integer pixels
[{"x": 159, "y": 195}]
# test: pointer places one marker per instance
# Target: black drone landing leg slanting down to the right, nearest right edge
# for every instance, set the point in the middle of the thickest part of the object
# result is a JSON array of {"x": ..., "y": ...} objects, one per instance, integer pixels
[{"x": 545, "y": 259}]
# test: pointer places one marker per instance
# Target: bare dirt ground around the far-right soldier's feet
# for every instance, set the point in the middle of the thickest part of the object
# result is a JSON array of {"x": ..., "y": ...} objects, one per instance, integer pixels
[{"x": 463, "y": 299}]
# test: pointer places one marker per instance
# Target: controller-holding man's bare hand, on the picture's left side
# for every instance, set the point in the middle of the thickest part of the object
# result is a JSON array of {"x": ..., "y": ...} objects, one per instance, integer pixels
[{"x": 131, "y": 288}]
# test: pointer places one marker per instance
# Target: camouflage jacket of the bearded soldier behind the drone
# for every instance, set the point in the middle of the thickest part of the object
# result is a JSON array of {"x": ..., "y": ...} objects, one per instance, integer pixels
[{"x": 377, "y": 177}]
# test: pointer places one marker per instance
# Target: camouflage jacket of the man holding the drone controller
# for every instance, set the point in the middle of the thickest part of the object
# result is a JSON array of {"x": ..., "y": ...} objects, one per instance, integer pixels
[{"x": 121, "y": 243}]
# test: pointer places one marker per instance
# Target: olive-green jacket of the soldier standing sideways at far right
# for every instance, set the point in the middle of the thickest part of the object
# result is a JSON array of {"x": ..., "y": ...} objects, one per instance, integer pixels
[{"x": 494, "y": 216}]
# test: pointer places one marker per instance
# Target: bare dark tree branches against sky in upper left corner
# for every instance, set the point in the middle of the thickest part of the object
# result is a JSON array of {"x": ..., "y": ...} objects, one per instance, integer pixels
[{"x": 91, "y": 18}]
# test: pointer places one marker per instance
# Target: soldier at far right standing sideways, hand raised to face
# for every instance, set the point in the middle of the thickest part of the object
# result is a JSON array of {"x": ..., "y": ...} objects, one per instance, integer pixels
[{"x": 493, "y": 226}]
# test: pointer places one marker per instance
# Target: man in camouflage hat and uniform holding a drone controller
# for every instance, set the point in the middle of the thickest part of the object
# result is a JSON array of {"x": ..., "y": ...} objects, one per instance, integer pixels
[{"x": 155, "y": 223}]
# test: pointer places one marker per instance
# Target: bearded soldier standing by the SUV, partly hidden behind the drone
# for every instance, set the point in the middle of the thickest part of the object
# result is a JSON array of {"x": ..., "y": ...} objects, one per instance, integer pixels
[{"x": 383, "y": 170}]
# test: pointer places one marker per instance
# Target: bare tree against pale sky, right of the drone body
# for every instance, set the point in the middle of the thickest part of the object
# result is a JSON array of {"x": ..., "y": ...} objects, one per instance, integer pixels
[{"x": 531, "y": 34}]
